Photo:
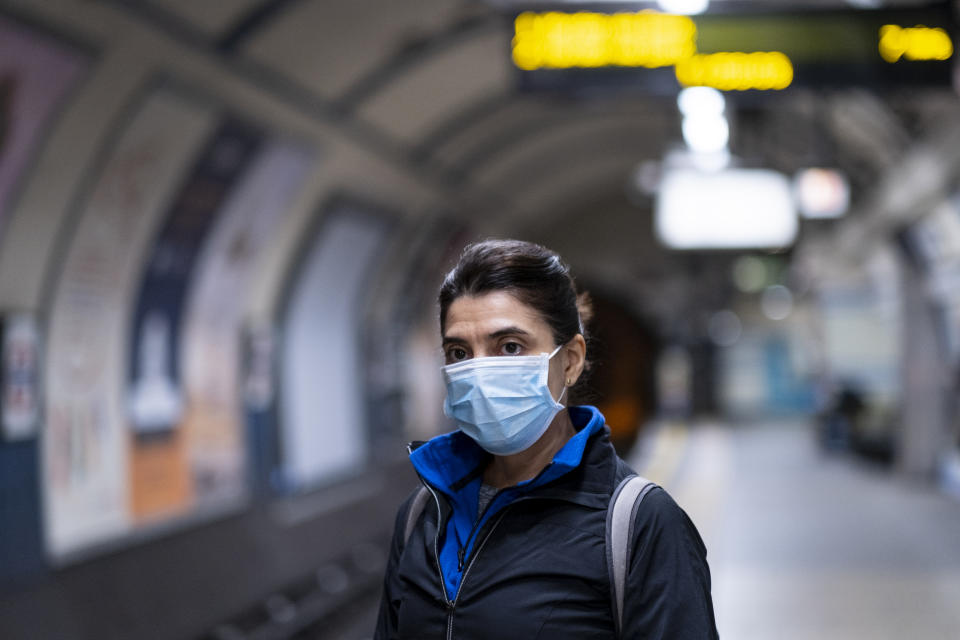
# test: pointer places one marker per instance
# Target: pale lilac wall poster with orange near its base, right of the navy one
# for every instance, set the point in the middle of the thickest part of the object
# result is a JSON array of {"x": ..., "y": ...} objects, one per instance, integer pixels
[{"x": 212, "y": 358}]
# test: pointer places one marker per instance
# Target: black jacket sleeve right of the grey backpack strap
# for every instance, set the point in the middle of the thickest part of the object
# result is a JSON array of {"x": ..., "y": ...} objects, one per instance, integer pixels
[{"x": 667, "y": 594}]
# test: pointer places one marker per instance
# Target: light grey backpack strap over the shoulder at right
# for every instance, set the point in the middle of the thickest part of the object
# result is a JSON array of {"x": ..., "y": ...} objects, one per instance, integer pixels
[{"x": 621, "y": 514}]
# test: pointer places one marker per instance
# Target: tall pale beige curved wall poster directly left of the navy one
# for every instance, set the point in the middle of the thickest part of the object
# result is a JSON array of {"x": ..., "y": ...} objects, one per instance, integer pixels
[{"x": 85, "y": 443}]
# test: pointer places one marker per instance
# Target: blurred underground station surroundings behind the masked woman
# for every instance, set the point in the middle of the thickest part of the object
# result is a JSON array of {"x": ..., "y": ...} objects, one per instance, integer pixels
[{"x": 222, "y": 229}]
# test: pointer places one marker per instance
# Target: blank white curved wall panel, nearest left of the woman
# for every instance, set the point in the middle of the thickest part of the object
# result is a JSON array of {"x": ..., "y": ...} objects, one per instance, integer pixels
[{"x": 323, "y": 428}]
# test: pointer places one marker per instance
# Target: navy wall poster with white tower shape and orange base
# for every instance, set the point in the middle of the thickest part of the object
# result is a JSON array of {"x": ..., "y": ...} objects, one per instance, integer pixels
[{"x": 161, "y": 479}]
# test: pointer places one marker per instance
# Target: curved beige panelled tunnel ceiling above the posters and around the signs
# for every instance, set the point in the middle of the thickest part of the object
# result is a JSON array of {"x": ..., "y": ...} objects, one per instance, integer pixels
[{"x": 428, "y": 83}]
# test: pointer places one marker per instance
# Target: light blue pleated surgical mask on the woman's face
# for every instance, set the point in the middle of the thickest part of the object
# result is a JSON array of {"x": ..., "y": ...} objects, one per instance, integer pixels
[{"x": 502, "y": 402}]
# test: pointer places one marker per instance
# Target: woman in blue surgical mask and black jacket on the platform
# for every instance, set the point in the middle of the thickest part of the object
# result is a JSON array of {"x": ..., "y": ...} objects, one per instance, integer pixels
[{"x": 511, "y": 543}]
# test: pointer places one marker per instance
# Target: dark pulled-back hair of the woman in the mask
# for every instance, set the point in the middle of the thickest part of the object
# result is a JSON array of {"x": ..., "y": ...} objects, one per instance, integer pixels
[{"x": 533, "y": 274}]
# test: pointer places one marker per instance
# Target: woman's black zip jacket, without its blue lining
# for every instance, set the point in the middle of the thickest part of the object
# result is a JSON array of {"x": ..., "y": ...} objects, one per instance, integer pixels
[{"x": 539, "y": 569}]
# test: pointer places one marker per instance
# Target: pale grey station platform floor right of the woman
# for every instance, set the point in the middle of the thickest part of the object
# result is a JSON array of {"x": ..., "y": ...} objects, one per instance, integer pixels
[{"x": 802, "y": 544}]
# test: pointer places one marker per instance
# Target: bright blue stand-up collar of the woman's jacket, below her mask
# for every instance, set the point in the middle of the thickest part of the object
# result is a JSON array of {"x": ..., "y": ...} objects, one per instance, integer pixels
[{"x": 448, "y": 462}]
